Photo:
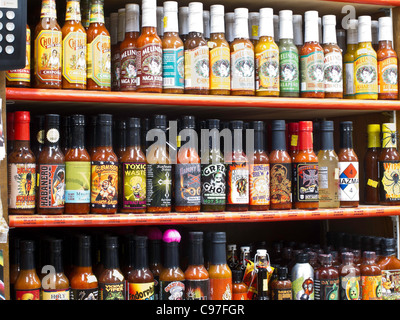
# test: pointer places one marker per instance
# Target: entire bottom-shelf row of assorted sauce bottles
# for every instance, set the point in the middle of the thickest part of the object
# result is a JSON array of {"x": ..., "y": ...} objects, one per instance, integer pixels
[{"x": 151, "y": 264}]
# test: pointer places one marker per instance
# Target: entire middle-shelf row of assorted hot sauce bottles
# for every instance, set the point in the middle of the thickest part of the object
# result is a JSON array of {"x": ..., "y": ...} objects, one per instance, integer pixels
[{"x": 100, "y": 164}]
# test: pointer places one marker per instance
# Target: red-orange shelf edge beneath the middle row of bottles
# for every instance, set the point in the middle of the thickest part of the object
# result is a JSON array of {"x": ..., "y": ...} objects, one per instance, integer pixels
[{"x": 198, "y": 218}]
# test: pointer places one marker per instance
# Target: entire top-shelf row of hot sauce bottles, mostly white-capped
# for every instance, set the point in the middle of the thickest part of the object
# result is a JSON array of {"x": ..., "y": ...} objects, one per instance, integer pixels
[{"x": 190, "y": 50}]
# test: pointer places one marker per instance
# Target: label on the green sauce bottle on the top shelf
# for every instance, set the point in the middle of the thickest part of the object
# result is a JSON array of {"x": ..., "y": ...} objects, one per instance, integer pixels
[{"x": 289, "y": 71}]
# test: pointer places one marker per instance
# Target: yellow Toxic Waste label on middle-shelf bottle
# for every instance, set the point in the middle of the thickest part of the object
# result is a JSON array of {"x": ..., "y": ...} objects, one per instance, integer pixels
[{"x": 134, "y": 185}]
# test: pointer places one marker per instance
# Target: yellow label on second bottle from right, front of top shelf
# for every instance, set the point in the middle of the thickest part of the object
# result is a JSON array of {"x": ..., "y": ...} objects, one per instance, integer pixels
[{"x": 366, "y": 75}]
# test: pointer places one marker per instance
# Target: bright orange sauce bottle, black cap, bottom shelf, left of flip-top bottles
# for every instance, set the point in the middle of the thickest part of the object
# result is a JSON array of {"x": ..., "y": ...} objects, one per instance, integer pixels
[{"x": 219, "y": 271}]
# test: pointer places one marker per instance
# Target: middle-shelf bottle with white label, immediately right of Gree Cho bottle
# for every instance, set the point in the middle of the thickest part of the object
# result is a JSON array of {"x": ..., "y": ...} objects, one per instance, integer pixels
[{"x": 237, "y": 172}]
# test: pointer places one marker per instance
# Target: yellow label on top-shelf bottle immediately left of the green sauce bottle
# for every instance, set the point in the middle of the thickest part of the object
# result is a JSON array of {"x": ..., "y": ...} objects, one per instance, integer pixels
[{"x": 267, "y": 75}]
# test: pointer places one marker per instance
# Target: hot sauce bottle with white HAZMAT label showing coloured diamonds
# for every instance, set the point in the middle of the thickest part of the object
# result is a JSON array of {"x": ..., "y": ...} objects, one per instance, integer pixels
[{"x": 348, "y": 168}]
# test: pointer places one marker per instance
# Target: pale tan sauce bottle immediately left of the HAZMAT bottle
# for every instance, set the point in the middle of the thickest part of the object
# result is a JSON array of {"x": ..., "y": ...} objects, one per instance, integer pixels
[{"x": 328, "y": 165}]
